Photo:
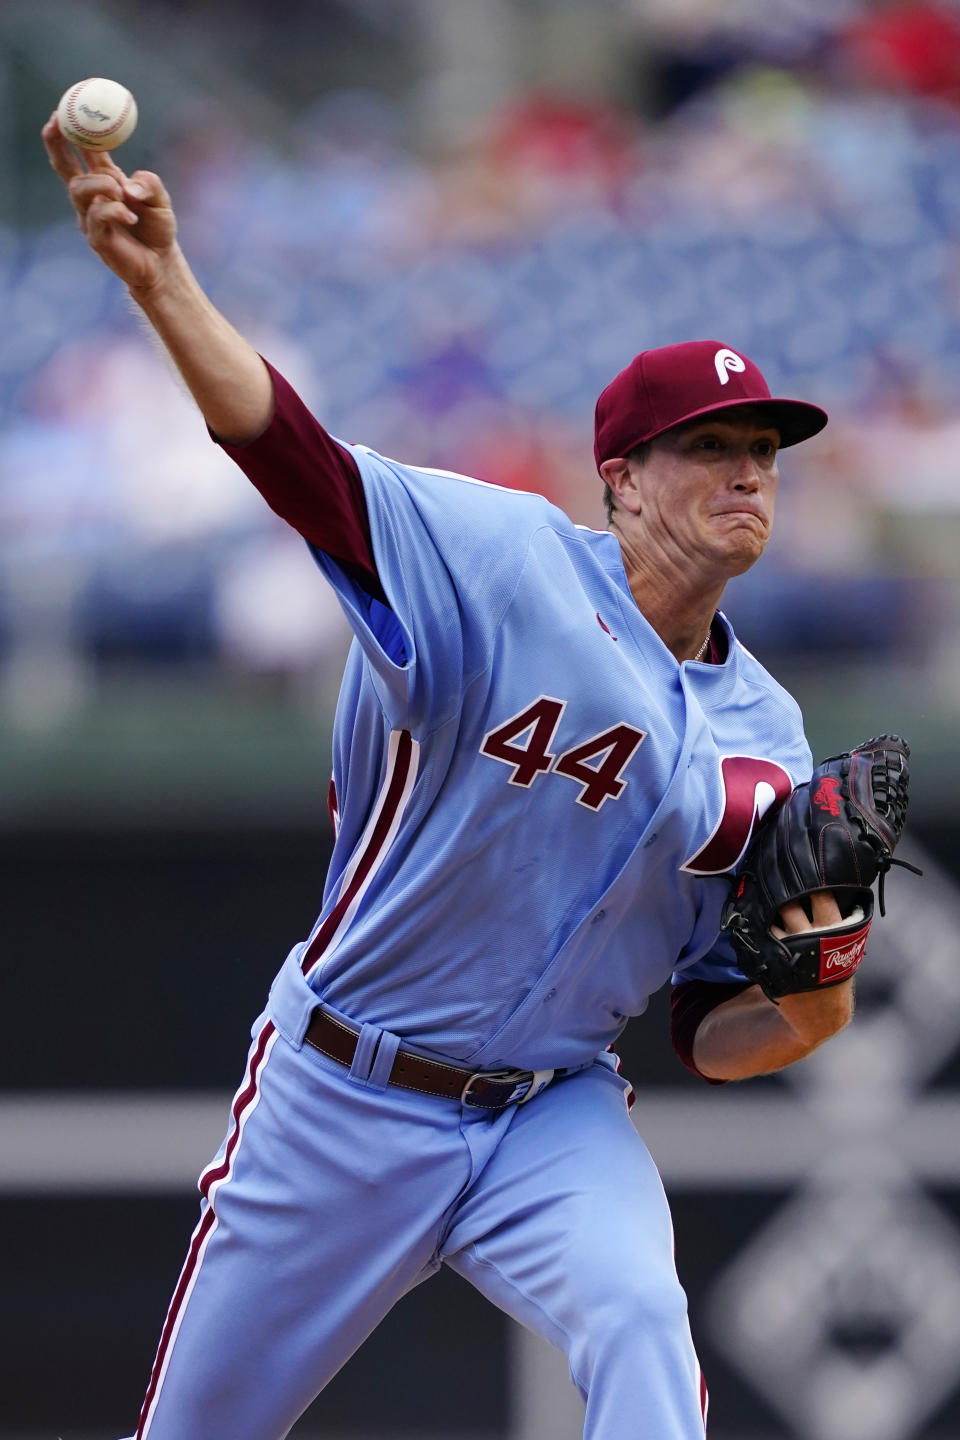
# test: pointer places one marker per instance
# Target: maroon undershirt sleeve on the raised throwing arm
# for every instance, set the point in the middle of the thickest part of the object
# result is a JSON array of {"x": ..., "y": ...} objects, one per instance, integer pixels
[{"x": 313, "y": 483}]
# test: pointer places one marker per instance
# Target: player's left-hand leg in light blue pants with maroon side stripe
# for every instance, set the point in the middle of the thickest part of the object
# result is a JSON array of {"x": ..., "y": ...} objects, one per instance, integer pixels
[{"x": 317, "y": 1222}]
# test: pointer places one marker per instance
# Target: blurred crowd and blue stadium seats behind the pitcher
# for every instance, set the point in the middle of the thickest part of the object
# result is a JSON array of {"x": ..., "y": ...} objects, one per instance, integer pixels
[{"x": 463, "y": 305}]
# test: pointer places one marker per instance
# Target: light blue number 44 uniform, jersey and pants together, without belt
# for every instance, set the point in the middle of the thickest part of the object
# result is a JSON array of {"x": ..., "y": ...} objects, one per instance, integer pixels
[{"x": 539, "y": 810}]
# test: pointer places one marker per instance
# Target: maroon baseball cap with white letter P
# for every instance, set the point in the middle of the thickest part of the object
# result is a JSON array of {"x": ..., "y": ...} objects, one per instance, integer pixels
[{"x": 666, "y": 388}]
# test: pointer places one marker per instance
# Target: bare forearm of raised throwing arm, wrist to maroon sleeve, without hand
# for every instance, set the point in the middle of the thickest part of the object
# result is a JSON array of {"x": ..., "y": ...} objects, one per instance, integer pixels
[{"x": 224, "y": 374}]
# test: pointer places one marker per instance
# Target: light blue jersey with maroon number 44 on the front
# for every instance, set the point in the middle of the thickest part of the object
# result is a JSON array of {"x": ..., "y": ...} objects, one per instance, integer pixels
[{"x": 538, "y": 803}]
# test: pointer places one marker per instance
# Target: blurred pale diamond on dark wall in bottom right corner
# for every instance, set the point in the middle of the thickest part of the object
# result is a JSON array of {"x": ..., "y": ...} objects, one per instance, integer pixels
[{"x": 846, "y": 1314}]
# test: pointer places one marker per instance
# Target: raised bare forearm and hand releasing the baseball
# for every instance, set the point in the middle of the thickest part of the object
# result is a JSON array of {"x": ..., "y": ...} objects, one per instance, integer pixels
[{"x": 130, "y": 224}]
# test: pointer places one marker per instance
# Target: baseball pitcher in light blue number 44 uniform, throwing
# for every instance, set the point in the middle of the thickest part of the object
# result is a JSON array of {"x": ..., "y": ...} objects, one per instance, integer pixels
[{"x": 549, "y": 757}]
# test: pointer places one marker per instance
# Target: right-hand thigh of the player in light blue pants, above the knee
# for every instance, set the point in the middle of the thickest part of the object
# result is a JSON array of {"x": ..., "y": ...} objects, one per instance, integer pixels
[{"x": 569, "y": 1228}]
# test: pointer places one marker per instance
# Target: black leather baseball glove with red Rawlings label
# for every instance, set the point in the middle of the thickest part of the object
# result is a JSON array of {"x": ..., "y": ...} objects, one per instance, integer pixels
[{"x": 836, "y": 833}]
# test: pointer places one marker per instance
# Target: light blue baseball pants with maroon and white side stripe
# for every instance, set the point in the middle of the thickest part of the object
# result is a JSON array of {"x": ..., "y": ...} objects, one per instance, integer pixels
[{"x": 335, "y": 1194}]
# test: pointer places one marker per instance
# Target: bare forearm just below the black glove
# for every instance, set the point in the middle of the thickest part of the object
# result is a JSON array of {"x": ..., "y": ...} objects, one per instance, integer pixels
[{"x": 751, "y": 1036}]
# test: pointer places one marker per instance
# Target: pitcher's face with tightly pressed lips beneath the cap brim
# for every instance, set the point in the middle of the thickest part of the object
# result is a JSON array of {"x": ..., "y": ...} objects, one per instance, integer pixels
[{"x": 707, "y": 492}]
